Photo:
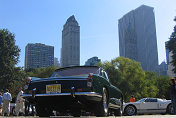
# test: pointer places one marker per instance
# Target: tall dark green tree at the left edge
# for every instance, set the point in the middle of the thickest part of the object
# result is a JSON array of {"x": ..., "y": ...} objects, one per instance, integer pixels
[{"x": 9, "y": 58}]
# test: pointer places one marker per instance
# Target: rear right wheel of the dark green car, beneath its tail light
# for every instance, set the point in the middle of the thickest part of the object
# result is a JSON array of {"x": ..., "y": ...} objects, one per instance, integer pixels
[{"x": 102, "y": 107}]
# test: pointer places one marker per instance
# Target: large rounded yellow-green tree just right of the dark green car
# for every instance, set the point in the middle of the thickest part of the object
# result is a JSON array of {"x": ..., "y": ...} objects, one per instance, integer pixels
[{"x": 127, "y": 75}]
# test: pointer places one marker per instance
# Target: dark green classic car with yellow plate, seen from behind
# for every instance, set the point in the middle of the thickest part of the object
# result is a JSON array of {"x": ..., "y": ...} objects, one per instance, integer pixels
[{"x": 72, "y": 89}]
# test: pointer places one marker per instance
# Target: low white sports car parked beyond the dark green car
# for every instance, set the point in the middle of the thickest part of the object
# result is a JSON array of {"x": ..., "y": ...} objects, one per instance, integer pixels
[{"x": 148, "y": 105}]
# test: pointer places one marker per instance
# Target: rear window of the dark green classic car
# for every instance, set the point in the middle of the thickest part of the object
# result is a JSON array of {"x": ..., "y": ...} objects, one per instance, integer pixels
[{"x": 75, "y": 71}]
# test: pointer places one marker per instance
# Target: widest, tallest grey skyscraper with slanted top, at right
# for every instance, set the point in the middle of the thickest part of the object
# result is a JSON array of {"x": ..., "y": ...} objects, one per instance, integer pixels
[{"x": 137, "y": 37}]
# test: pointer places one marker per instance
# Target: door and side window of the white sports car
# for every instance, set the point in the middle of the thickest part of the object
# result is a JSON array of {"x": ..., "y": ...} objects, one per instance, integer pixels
[{"x": 149, "y": 105}]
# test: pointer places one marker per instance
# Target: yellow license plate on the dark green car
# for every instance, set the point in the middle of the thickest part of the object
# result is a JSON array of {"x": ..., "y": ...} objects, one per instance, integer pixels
[{"x": 56, "y": 88}]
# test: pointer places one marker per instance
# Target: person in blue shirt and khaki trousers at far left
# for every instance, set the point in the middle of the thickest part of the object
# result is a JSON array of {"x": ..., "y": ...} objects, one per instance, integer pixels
[{"x": 6, "y": 98}]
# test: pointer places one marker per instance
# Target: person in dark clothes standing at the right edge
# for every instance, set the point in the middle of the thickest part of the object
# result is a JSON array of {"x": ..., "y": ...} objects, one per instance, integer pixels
[{"x": 173, "y": 94}]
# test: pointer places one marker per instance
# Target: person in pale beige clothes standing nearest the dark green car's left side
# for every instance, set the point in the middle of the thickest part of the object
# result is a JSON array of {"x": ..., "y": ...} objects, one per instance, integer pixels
[{"x": 19, "y": 102}]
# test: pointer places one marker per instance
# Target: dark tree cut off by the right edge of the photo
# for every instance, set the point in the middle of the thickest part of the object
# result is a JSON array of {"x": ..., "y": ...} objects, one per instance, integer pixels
[{"x": 172, "y": 47}]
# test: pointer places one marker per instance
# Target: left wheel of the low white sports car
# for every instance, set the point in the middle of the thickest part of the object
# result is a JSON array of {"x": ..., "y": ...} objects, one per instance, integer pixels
[{"x": 130, "y": 110}]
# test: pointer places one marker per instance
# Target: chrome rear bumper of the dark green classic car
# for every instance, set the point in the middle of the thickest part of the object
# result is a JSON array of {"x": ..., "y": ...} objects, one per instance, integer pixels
[{"x": 65, "y": 94}]
